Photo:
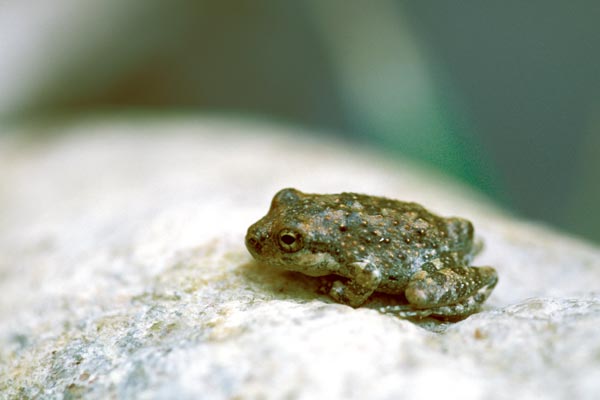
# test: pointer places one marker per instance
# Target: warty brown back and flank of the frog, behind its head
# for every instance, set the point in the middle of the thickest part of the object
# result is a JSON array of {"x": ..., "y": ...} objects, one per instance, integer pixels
[{"x": 398, "y": 236}]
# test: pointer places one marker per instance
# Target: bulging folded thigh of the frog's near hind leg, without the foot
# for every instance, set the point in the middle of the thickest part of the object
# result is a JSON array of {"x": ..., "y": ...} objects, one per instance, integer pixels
[{"x": 431, "y": 287}]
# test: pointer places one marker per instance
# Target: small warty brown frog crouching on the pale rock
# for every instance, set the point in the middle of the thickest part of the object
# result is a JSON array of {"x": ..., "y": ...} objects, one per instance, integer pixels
[{"x": 375, "y": 244}]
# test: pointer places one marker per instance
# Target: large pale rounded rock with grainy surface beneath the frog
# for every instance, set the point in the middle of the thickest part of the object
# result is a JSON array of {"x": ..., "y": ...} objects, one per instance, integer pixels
[{"x": 123, "y": 274}]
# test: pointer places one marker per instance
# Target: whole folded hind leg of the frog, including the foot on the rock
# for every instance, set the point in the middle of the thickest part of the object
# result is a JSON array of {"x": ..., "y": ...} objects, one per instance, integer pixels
[{"x": 452, "y": 292}]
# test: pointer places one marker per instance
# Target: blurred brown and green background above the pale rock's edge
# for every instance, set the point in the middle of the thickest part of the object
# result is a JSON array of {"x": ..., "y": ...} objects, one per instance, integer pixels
[{"x": 504, "y": 96}]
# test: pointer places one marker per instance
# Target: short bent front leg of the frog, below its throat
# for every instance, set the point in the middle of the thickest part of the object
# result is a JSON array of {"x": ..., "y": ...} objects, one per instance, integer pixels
[{"x": 364, "y": 279}]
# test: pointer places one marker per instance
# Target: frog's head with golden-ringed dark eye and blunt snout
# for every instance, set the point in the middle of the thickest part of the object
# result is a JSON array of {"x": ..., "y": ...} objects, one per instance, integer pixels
[{"x": 283, "y": 237}]
